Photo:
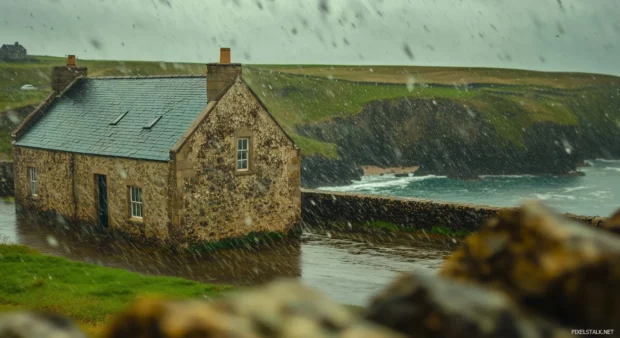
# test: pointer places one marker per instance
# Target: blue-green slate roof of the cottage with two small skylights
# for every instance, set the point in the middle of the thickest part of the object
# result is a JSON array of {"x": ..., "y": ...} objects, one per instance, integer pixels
[{"x": 79, "y": 121}]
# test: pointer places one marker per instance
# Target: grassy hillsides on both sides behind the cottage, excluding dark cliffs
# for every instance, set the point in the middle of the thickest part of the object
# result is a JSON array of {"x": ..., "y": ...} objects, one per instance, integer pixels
[{"x": 511, "y": 101}]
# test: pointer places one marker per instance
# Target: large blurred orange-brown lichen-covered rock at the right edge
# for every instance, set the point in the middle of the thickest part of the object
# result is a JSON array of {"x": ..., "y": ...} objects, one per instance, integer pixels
[{"x": 546, "y": 262}]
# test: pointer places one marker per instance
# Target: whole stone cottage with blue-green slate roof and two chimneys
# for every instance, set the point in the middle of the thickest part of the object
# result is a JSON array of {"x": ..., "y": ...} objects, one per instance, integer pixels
[{"x": 181, "y": 159}]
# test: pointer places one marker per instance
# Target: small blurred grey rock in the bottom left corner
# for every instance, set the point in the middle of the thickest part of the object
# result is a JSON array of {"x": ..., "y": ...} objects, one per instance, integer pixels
[{"x": 37, "y": 325}]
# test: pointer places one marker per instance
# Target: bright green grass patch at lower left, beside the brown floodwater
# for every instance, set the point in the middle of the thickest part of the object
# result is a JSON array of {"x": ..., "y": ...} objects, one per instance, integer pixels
[{"x": 87, "y": 293}]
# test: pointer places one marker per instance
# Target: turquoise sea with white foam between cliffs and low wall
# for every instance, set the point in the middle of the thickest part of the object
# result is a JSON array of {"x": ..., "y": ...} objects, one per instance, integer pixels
[{"x": 595, "y": 194}]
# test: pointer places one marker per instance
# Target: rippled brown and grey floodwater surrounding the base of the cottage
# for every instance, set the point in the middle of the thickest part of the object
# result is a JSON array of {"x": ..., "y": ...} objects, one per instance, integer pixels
[{"x": 349, "y": 268}]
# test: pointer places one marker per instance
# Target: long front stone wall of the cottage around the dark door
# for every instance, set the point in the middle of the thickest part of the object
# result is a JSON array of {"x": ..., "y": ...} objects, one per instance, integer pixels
[{"x": 66, "y": 186}]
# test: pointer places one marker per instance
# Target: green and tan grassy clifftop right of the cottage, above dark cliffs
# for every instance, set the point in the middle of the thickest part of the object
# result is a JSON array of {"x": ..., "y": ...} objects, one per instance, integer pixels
[{"x": 510, "y": 100}]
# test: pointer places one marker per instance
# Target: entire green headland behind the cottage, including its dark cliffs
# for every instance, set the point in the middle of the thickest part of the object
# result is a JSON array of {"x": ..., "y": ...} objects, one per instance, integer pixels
[{"x": 461, "y": 122}]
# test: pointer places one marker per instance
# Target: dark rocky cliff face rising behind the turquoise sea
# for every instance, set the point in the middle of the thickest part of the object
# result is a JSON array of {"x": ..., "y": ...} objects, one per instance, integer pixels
[{"x": 447, "y": 138}]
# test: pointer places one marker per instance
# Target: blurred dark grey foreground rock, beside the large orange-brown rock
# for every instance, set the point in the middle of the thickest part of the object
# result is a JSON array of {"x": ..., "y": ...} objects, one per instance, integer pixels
[{"x": 430, "y": 306}]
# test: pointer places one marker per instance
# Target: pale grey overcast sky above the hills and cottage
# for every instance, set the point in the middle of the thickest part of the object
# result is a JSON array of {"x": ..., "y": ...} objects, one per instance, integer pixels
[{"x": 567, "y": 35}]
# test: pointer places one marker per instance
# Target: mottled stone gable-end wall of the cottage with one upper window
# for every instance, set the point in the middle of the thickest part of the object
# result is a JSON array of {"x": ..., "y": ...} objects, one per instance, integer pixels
[{"x": 214, "y": 201}]
